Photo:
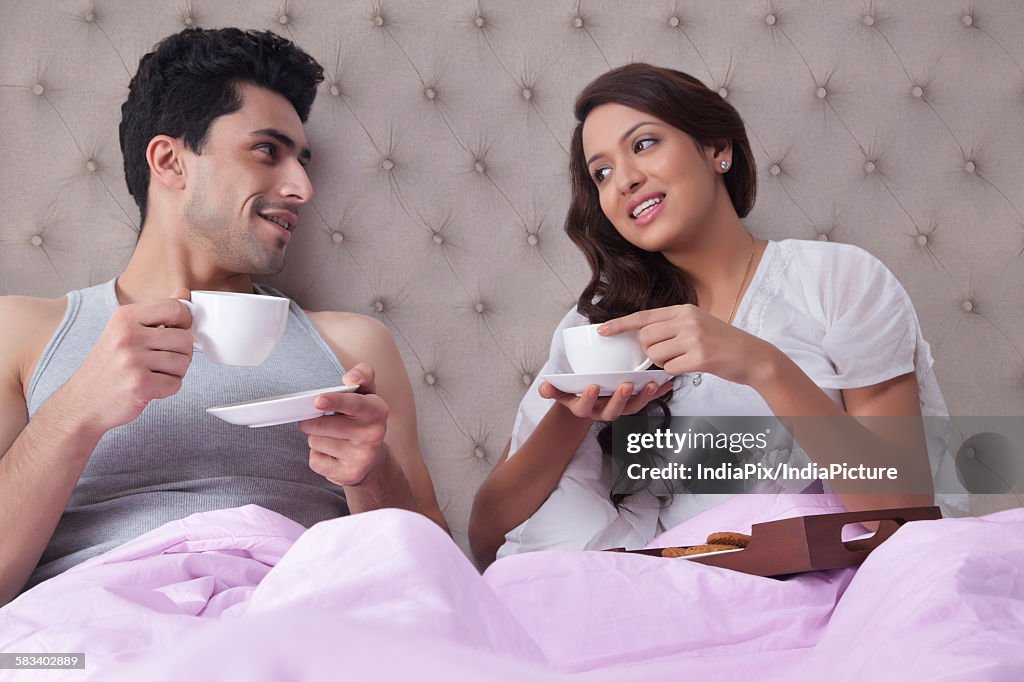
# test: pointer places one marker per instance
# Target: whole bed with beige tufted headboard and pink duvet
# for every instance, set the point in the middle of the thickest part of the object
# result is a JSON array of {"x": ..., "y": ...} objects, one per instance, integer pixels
[{"x": 441, "y": 136}]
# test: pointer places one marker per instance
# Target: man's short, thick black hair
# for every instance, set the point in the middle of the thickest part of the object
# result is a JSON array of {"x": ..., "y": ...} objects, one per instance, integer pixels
[{"x": 193, "y": 77}]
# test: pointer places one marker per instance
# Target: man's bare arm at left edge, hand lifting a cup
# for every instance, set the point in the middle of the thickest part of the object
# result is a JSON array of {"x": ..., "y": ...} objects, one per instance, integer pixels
[{"x": 137, "y": 360}]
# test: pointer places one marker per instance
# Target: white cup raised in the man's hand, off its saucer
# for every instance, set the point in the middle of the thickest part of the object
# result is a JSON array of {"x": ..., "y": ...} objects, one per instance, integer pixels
[{"x": 237, "y": 329}]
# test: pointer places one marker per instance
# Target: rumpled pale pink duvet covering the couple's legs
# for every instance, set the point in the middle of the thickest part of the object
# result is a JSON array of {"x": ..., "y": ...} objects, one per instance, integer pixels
[{"x": 245, "y": 594}]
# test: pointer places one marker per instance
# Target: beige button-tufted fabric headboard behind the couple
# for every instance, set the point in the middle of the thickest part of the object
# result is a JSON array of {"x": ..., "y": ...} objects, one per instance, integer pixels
[{"x": 441, "y": 139}]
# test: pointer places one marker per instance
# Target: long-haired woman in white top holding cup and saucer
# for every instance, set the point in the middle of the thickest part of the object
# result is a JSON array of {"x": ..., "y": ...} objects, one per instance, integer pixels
[{"x": 662, "y": 174}]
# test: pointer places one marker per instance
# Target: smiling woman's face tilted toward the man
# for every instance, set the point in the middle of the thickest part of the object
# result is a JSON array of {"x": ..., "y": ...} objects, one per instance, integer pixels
[{"x": 657, "y": 186}]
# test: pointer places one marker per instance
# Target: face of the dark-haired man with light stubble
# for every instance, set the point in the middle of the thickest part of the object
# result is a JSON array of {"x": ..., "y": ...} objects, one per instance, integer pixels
[{"x": 245, "y": 189}]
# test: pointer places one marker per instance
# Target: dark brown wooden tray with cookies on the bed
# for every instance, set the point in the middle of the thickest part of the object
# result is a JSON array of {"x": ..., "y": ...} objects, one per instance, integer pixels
[{"x": 807, "y": 543}]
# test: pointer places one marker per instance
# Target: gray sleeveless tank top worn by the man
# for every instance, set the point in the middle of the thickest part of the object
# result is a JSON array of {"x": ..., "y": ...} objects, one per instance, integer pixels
[{"x": 176, "y": 459}]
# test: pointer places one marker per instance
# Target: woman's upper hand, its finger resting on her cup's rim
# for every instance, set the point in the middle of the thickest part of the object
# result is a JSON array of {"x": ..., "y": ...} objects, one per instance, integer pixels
[{"x": 685, "y": 339}]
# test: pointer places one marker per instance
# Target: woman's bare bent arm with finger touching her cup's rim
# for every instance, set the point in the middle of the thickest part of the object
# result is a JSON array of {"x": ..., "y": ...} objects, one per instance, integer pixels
[{"x": 881, "y": 427}]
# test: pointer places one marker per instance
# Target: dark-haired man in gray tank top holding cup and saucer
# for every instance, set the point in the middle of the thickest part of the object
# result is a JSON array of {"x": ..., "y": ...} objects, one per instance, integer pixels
[{"x": 103, "y": 427}]
